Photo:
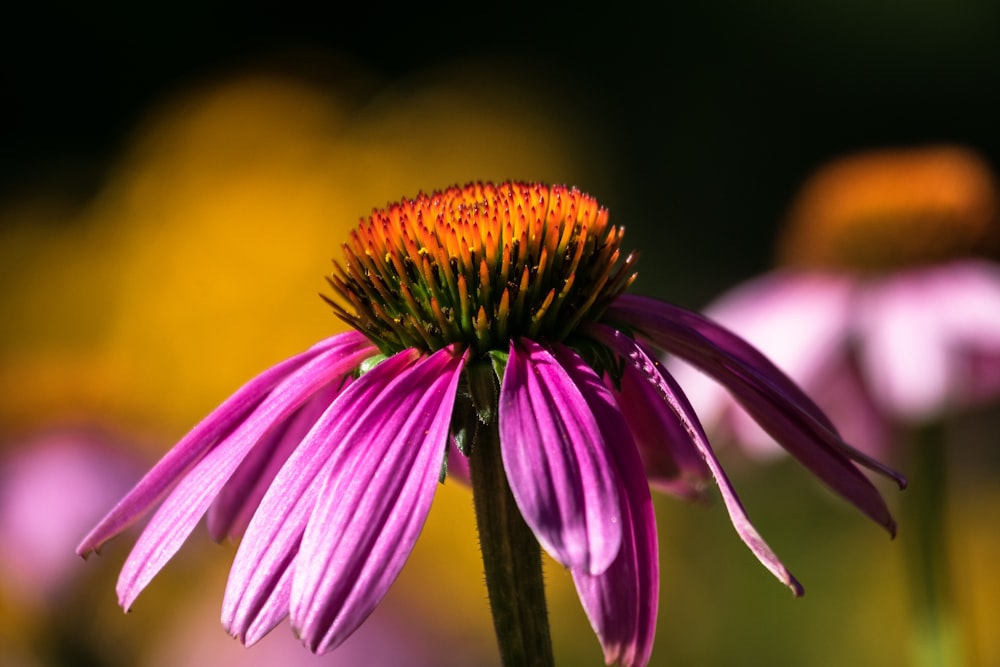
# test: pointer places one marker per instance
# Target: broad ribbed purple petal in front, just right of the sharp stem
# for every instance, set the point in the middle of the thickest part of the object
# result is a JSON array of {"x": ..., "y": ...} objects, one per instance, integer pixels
[{"x": 557, "y": 461}]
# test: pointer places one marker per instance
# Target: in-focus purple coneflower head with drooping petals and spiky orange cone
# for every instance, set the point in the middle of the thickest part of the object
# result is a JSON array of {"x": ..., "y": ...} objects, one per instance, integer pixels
[{"x": 499, "y": 306}]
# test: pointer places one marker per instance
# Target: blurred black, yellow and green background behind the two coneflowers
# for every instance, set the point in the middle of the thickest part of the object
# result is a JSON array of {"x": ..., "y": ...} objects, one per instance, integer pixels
[{"x": 174, "y": 179}]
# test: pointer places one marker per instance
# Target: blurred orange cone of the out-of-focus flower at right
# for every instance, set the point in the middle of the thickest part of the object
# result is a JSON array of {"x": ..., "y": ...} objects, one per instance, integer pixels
[{"x": 893, "y": 209}]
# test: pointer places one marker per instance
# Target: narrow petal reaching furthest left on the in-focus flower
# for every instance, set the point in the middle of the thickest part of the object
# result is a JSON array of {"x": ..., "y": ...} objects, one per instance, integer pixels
[{"x": 206, "y": 435}]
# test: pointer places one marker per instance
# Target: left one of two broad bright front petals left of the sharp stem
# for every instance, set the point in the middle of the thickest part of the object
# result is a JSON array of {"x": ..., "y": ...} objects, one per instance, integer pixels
[{"x": 260, "y": 579}]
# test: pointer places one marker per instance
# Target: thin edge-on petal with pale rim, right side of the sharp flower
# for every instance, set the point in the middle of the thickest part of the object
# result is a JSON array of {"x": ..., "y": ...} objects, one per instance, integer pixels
[{"x": 679, "y": 405}]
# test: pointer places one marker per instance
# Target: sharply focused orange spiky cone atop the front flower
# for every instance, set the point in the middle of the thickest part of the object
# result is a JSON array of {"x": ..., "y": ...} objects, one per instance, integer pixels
[{"x": 480, "y": 265}]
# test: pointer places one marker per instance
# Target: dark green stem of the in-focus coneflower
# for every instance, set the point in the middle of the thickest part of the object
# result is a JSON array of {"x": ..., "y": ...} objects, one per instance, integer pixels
[{"x": 511, "y": 558}]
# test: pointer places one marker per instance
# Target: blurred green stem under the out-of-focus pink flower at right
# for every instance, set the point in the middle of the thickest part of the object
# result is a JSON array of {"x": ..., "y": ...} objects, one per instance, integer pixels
[{"x": 935, "y": 638}]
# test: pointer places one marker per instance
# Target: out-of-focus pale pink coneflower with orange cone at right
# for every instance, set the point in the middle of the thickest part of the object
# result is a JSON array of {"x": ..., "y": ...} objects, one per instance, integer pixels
[{"x": 886, "y": 307}]
